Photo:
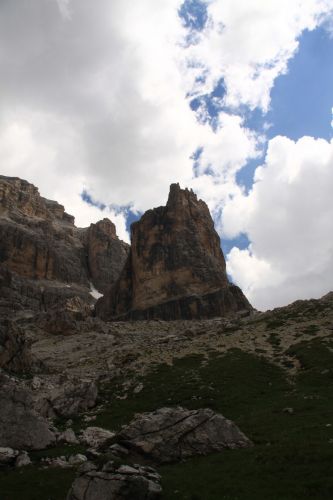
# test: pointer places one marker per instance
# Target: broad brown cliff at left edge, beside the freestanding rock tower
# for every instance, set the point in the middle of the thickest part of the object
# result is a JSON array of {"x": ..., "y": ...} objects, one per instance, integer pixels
[{"x": 44, "y": 259}]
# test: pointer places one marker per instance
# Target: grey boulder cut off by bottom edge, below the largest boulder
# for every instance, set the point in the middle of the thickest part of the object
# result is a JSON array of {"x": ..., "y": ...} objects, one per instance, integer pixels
[{"x": 122, "y": 483}]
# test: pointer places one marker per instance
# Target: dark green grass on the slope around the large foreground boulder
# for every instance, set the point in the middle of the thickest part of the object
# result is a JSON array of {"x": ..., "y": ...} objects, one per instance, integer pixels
[{"x": 292, "y": 457}]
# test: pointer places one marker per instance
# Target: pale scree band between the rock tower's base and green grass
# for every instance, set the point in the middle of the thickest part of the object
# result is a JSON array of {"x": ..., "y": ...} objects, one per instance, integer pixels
[{"x": 110, "y": 349}]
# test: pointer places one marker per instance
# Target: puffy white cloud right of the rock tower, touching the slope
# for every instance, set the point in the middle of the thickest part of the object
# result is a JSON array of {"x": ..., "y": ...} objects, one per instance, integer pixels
[{"x": 288, "y": 217}]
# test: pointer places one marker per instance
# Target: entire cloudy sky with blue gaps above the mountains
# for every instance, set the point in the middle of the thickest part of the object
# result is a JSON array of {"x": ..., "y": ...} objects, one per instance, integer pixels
[{"x": 104, "y": 103}]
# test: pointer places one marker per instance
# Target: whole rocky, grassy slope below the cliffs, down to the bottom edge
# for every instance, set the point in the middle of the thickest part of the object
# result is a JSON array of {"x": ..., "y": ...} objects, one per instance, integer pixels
[{"x": 265, "y": 371}]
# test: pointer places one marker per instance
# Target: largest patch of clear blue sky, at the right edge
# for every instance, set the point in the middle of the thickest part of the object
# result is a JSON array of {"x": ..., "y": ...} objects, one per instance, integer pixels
[{"x": 302, "y": 99}]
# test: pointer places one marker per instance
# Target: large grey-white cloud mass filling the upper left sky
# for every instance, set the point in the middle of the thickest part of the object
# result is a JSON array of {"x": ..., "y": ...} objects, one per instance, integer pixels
[{"x": 98, "y": 97}]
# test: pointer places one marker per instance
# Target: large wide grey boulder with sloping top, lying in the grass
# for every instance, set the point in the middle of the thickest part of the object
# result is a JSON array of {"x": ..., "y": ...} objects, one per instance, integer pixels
[{"x": 172, "y": 434}]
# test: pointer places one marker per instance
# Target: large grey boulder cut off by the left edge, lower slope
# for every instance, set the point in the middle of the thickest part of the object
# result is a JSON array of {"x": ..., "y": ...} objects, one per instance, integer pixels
[{"x": 21, "y": 427}]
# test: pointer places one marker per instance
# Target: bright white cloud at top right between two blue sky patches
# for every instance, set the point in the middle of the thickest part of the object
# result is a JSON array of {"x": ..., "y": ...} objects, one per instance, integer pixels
[{"x": 249, "y": 44}]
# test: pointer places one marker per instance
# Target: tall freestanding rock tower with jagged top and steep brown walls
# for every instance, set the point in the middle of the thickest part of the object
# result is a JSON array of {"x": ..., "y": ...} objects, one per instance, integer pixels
[{"x": 176, "y": 268}]
